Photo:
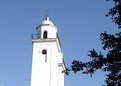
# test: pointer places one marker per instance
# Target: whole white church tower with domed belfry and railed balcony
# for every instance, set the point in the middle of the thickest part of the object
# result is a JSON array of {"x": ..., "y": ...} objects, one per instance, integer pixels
[{"x": 47, "y": 58}]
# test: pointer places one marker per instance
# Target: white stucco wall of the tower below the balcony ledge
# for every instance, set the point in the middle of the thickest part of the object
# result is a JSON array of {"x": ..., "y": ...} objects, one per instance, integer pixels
[{"x": 47, "y": 73}]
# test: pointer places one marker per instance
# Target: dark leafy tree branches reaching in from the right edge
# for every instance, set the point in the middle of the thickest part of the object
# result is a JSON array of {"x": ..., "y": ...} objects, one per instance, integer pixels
[{"x": 111, "y": 61}]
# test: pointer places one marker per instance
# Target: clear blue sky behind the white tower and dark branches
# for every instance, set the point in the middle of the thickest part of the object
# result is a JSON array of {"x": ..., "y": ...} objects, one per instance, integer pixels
[{"x": 79, "y": 24}]
